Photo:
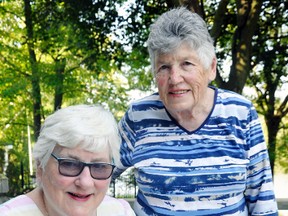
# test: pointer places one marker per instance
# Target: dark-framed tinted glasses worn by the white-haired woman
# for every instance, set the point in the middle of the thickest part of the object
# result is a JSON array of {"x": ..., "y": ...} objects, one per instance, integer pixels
[{"x": 71, "y": 168}]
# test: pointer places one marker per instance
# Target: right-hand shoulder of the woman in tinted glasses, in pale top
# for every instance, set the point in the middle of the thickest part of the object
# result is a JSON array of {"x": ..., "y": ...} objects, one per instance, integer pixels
[{"x": 111, "y": 206}]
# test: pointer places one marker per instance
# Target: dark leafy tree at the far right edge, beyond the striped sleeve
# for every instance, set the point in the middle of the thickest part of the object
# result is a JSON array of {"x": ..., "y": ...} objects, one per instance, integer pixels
[{"x": 271, "y": 70}]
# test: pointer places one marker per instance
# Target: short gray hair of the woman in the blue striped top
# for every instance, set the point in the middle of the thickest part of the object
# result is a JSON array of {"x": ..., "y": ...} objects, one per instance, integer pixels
[{"x": 176, "y": 27}]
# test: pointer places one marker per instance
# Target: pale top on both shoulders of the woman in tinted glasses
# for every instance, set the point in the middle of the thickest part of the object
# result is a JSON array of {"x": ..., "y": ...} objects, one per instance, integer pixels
[{"x": 23, "y": 205}]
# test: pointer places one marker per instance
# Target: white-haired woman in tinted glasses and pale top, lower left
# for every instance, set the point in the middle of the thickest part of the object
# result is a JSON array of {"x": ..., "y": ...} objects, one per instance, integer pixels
[{"x": 75, "y": 156}]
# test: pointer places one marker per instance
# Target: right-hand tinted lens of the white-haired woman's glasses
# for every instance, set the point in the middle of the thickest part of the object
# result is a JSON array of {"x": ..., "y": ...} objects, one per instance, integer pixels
[{"x": 101, "y": 170}]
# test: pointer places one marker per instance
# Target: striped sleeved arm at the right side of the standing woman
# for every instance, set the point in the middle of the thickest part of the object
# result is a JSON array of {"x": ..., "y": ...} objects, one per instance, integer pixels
[{"x": 259, "y": 193}]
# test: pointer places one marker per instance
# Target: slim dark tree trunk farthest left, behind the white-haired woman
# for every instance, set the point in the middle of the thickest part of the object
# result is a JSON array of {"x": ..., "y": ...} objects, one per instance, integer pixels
[{"x": 35, "y": 80}]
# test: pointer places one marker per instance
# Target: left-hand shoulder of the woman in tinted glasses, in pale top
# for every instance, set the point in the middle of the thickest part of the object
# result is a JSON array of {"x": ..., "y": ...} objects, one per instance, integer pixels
[{"x": 20, "y": 205}]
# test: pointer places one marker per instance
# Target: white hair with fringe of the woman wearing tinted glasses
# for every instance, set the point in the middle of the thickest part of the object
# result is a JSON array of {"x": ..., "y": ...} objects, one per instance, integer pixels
[{"x": 90, "y": 127}]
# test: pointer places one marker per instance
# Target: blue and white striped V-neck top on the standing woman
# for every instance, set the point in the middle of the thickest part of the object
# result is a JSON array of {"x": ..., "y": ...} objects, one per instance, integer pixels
[{"x": 222, "y": 168}]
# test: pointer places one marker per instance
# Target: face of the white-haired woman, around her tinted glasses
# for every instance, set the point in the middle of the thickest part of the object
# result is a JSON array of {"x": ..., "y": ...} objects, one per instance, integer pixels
[{"x": 80, "y": 195}]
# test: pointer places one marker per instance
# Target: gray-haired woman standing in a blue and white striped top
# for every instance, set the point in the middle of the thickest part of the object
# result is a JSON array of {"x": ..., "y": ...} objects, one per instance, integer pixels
[{"x": 196, "y": 149}]
